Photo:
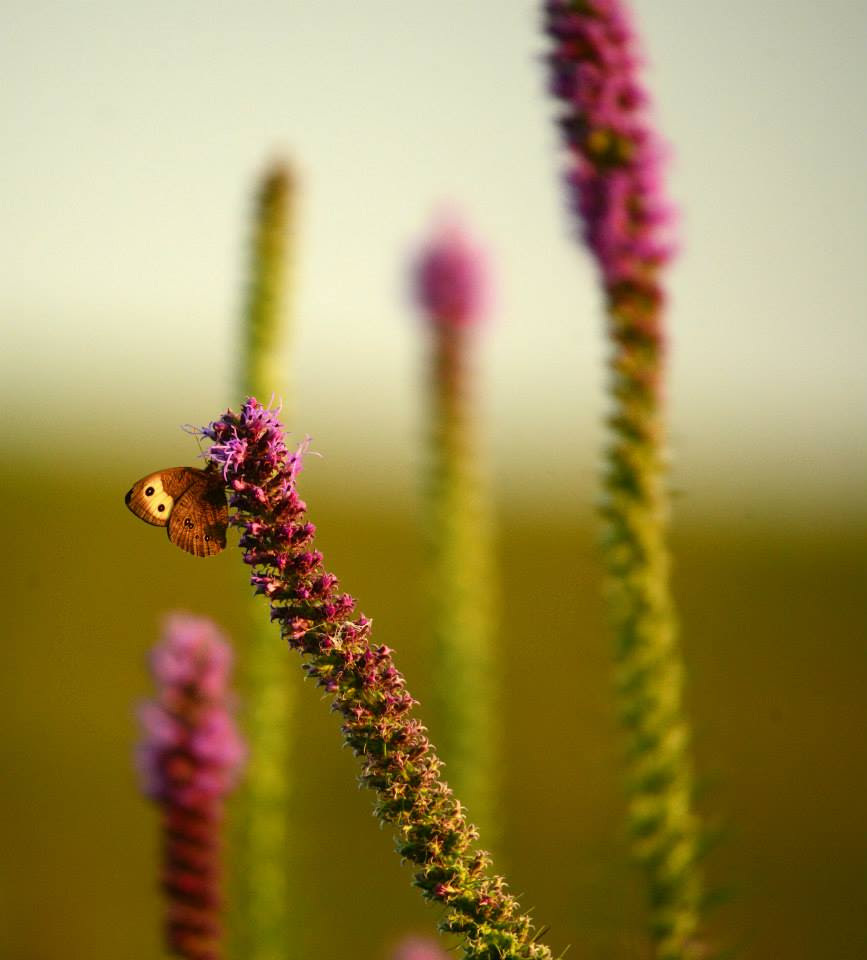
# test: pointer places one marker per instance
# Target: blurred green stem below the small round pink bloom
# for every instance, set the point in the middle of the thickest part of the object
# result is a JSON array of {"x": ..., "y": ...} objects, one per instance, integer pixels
[{"x": 460, "y": 582}]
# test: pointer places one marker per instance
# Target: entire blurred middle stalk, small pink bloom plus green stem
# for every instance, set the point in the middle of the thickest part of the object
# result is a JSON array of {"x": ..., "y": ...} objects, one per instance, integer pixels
[{"x": 450, "y": 286}]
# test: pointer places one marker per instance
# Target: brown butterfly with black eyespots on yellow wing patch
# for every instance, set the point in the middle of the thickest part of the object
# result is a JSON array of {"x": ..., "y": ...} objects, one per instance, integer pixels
[{"x": 190, "y": 502}]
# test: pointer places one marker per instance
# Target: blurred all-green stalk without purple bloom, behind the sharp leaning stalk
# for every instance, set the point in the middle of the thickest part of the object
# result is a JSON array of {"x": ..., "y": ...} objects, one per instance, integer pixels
[{"x": 261, "y": 918}]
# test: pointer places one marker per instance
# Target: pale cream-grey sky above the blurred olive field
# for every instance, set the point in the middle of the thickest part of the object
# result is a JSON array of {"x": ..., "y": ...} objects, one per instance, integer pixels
[{"x": 133, "y": 134}]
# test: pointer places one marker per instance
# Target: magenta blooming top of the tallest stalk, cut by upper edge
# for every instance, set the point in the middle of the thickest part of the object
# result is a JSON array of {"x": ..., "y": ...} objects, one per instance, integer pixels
[{"x": 614, "y": 177}]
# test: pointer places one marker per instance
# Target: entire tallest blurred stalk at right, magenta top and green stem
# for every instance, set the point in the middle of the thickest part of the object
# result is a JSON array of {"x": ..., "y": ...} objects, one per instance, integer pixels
[{"x": 615, "y": 188}]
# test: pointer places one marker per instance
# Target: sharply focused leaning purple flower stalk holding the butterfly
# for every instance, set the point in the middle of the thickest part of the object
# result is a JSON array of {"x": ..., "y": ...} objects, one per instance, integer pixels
[{"x": 397, "y": 760}]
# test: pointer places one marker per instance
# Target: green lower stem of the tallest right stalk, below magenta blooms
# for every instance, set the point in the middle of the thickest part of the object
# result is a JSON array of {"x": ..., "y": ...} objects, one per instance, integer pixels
[{"x": 663, "y": 825}]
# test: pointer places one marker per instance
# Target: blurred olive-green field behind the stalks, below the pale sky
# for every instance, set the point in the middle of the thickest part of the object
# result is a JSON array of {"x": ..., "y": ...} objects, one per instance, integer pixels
[{"x": 773, "y": 618}]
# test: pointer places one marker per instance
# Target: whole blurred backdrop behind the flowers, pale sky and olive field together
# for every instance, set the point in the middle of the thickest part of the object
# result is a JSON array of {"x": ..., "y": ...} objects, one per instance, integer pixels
[{"x": 134, "y": 140}]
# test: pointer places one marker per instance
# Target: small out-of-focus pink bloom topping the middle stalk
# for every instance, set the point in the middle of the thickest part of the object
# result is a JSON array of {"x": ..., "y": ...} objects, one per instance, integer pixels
[{"x": 451, "y": 277}]
